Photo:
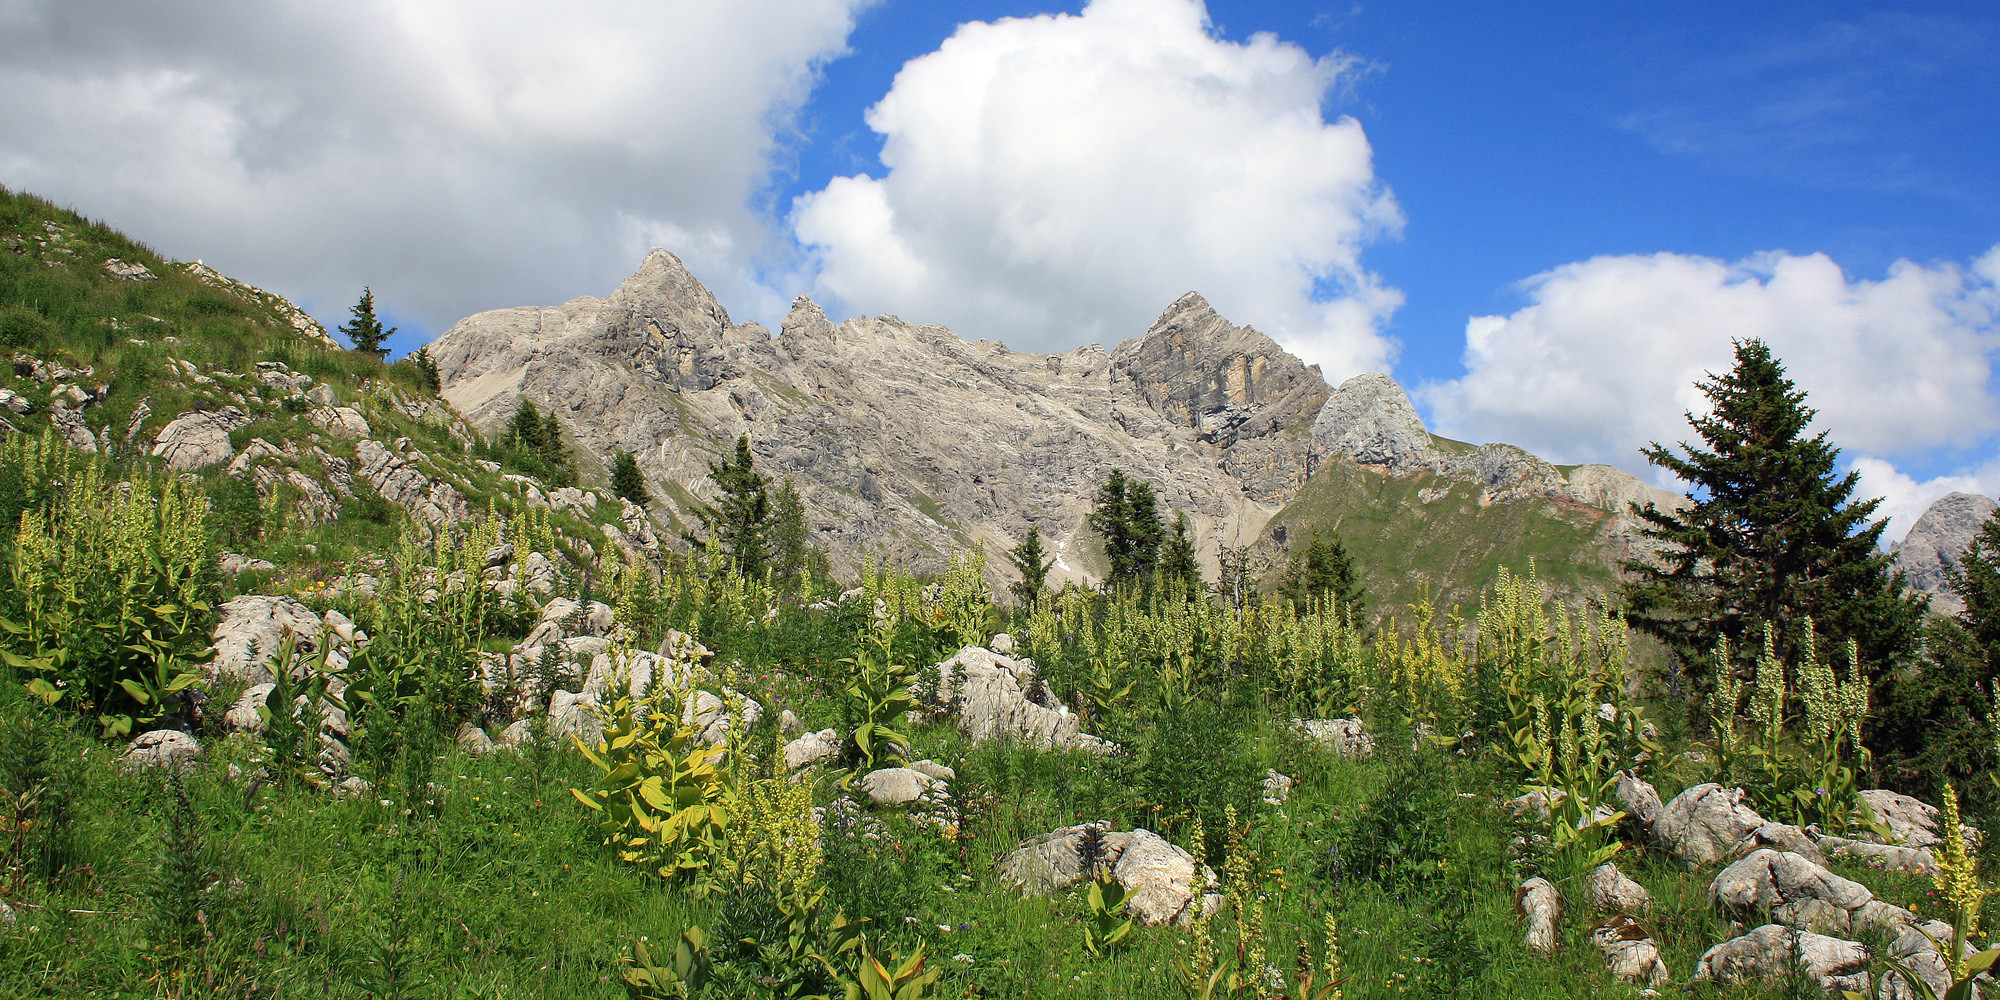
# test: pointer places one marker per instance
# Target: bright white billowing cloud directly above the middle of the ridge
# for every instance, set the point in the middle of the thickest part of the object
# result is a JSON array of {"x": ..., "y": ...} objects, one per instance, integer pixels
[{"x": 1063, "y": 179}]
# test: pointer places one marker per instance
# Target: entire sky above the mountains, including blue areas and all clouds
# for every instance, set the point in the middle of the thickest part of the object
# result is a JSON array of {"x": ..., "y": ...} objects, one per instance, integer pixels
[{"x": 1547, "y": 221}]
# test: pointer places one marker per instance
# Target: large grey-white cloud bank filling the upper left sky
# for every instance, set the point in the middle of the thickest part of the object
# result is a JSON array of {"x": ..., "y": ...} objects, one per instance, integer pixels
[{"x": 455, "y": 155}]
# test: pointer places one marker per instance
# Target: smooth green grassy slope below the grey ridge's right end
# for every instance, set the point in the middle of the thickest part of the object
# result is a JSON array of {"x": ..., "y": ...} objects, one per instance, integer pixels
[{"x": 1451, "y": 545}]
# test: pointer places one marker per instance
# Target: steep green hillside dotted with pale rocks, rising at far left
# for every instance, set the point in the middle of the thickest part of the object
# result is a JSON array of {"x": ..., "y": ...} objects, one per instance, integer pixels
[{"x": 119, "y": 341}]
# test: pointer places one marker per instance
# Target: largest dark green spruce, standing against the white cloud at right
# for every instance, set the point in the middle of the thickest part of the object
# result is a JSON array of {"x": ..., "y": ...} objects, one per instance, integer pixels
[{"x": 1771, "y": 535}]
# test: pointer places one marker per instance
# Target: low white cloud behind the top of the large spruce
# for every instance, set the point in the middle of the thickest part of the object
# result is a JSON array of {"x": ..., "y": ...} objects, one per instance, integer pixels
[{"x": 1607, "y": 355}]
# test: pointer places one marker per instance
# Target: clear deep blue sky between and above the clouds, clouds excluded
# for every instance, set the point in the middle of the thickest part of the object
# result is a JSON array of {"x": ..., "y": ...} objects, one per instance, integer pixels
[{"x": 1523, "y": 137}]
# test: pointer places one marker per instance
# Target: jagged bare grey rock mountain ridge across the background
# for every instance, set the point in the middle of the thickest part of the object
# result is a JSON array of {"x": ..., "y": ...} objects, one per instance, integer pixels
[{"x": 911, "y": 441}]
